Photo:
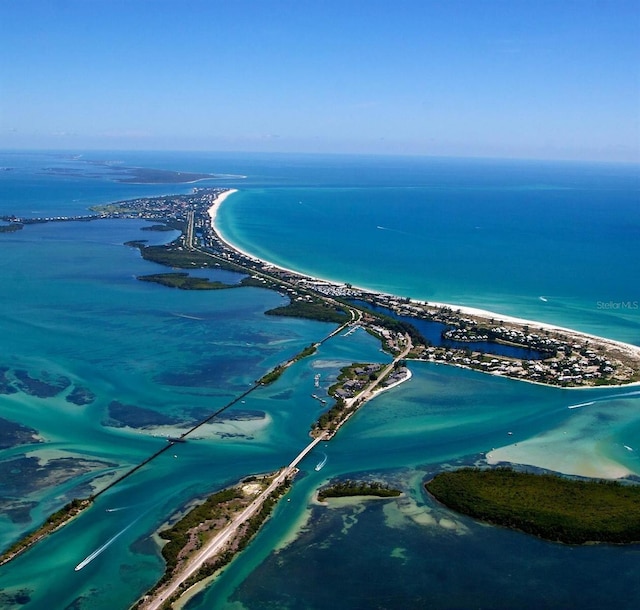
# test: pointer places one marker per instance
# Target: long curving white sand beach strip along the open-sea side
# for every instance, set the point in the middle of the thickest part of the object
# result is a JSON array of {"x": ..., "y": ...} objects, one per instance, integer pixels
[{"x": 632, "y": 350}]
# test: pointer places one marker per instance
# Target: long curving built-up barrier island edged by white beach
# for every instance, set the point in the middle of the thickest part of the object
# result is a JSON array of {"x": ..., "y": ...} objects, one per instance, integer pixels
[{"x": 469, "y": 338}]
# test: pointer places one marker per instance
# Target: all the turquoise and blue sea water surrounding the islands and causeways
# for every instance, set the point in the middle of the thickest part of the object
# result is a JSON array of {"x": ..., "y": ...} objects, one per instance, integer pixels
[{"x": 497, "y": 235}]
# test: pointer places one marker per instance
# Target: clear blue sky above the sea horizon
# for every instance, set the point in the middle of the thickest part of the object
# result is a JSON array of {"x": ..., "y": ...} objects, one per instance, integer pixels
[{"x": 491, "y": 78}]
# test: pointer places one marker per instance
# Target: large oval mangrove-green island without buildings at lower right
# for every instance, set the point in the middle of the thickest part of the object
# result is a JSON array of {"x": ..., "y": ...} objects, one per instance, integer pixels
[{"x": 548, "y": 506}]
